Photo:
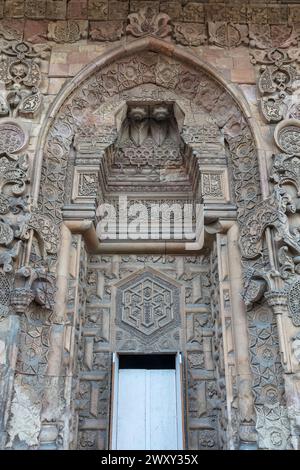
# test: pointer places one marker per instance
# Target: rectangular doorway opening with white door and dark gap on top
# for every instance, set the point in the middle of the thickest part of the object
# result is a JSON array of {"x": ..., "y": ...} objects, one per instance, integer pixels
[{"x": 147, "y": 403}]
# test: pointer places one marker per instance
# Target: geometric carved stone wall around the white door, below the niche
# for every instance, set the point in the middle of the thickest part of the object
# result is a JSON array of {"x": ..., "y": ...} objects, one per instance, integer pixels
[{"x": 163, "y": 276}]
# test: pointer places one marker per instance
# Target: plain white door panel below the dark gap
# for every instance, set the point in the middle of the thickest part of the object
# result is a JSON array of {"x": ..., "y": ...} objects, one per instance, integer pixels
[{"x": 147, "y": 410}]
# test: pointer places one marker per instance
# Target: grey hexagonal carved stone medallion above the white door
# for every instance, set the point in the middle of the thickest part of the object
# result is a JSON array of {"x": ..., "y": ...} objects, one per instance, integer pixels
[{"x": 147, "y": 302}]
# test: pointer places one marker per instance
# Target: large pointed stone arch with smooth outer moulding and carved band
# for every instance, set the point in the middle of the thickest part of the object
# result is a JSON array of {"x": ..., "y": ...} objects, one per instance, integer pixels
[{"x": 147, "y": 60}]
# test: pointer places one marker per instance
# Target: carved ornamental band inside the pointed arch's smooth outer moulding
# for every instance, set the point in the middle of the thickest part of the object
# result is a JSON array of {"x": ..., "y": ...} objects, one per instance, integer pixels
[{"x": 146, "y": 68}]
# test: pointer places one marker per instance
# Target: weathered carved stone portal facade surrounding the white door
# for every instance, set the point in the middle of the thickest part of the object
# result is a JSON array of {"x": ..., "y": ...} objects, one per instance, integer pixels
[{"x": 167, "y": 102}]
